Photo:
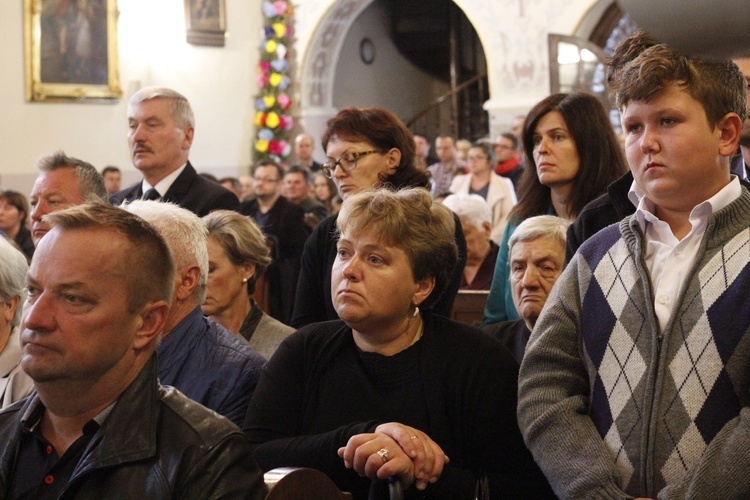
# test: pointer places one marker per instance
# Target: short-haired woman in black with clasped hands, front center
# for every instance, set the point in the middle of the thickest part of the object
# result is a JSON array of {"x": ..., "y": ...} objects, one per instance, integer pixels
[{"x": 392, "y": 389}]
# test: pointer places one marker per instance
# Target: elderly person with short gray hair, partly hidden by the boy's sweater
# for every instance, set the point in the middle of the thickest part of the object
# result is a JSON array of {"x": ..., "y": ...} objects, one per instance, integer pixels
[{"x": 536, "y": 256}]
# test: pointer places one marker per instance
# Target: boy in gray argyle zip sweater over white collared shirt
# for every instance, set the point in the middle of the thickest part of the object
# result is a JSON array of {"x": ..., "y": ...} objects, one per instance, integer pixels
[{"x": 636, "y": 379}]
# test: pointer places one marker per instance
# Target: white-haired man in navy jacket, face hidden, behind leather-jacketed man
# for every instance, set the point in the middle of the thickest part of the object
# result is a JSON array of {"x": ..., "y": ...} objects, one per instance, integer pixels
[{"x": 204, "y": 360}]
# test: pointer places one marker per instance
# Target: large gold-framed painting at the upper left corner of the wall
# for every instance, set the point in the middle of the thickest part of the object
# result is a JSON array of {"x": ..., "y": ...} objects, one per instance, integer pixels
[{"x": 71, "y": 50}]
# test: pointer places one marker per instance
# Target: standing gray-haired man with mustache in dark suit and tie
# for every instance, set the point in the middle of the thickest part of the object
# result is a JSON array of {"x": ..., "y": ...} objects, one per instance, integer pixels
[{"x": 160, "y": 133}]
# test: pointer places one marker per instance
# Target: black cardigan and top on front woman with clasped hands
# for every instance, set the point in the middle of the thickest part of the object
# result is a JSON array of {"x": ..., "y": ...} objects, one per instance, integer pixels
[{"x": 319, "y": 390}]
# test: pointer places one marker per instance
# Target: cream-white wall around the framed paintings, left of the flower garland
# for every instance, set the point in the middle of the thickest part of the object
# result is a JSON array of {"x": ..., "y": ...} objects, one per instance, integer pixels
[{"x": 219, "y": 82}]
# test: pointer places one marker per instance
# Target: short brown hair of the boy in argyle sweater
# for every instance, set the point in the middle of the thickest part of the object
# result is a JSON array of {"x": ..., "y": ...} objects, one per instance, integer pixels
[{"x": 717, "y": 85}]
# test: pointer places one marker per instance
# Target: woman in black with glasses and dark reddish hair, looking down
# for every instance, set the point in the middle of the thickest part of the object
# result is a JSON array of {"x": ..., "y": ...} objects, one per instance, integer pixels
[{"x": 366, "y": 148}]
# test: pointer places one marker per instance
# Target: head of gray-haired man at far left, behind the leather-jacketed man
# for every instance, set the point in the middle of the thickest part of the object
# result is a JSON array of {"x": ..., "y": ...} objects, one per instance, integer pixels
[{"x": 63, "y": 182}]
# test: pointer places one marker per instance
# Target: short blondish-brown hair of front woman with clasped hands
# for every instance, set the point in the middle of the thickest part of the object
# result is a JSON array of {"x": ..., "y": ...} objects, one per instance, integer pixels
[{"x": 410, "y": 220}]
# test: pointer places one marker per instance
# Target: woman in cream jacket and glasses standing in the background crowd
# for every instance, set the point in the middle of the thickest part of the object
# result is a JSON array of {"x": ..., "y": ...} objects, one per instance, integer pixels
[{"x": 497, "y": 191}]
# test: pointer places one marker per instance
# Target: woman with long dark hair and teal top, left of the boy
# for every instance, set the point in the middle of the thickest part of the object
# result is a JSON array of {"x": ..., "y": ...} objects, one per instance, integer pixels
[{"x": 572, "y": 156}]
